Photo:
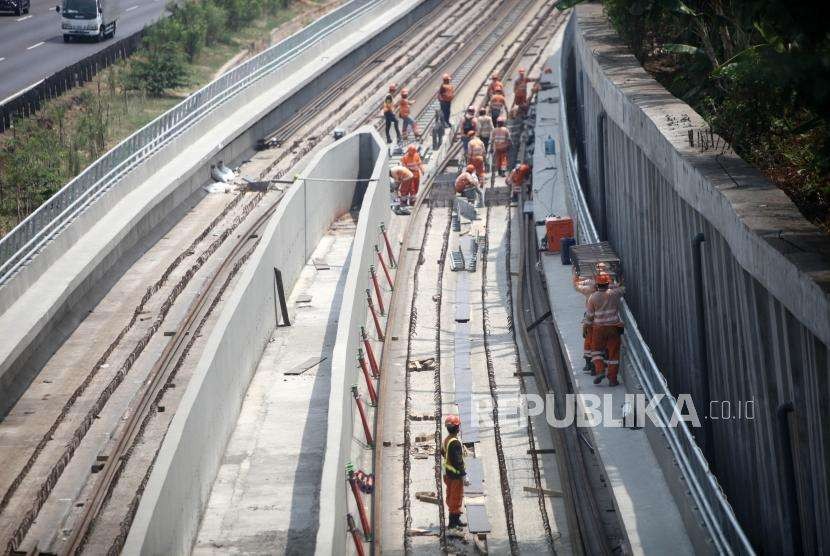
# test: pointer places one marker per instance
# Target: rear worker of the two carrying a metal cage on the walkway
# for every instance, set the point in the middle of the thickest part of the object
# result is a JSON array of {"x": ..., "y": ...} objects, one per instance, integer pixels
[{"x": 603, "y": 315}]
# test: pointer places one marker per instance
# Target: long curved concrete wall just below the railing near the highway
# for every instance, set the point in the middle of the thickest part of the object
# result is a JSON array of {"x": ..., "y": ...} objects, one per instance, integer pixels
[{"x": 123, "y": 222}]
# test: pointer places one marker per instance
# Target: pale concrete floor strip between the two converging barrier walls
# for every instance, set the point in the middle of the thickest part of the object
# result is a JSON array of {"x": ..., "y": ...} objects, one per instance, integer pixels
[{"x": 266, "y": 497}]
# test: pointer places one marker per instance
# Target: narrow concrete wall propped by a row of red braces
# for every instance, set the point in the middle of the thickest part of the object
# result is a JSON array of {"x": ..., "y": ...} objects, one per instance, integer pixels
[{"x": 334, "y": 493}]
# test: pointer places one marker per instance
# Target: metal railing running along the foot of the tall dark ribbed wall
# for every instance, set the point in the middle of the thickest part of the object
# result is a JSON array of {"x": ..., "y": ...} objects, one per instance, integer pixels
[{"x": 718, "y": 518}]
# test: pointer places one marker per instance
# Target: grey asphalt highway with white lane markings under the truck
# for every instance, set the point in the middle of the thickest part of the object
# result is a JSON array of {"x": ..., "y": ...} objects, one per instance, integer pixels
[{"x": 32, "y": 47}]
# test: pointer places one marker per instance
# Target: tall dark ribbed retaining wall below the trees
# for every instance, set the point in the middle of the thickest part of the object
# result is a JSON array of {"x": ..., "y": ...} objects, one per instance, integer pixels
[{"x": 764, "y": 312}]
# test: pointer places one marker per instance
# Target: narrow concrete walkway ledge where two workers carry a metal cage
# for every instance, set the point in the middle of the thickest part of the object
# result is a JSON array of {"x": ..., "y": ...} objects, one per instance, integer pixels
[{"x": 648, "y": 510}]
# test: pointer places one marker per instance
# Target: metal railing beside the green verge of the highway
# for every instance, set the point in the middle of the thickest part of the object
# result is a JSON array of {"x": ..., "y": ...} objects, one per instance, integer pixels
[{"x": 27, "y": 238}]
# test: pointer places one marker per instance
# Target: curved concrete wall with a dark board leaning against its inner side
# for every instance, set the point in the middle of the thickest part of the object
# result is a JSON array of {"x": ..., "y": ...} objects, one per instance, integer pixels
[{"x": 169, "y": 514}]
